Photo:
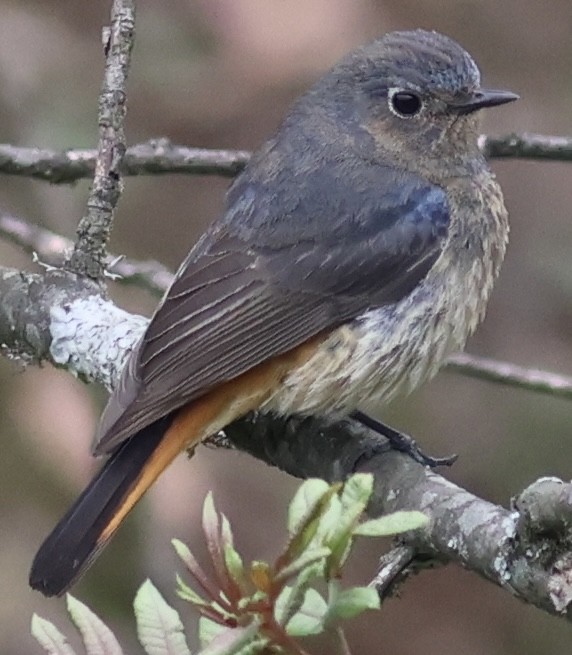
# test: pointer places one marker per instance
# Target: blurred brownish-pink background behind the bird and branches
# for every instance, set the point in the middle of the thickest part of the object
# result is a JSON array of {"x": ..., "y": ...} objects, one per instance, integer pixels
[{"x": 221, "y": 73}]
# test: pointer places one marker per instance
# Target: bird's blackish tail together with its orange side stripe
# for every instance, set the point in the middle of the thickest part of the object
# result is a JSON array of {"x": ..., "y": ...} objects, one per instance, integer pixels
[{"x": 137, "y": 463}]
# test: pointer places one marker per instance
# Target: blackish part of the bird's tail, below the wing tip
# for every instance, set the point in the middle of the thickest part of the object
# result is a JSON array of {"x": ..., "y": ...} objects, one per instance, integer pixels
[{"x": 82, "y": 533}]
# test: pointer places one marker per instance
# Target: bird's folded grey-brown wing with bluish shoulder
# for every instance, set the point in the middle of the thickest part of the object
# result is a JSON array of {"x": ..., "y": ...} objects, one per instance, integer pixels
[{"x": 252, "y": 290}]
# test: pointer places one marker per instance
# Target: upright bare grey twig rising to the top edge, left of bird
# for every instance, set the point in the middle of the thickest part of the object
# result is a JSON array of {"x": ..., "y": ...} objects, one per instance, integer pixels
[{"x": 89, "y": 254}]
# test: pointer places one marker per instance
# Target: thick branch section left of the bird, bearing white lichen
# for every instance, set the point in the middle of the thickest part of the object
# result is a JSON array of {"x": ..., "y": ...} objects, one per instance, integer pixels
[{"x": 63, "y": 319}]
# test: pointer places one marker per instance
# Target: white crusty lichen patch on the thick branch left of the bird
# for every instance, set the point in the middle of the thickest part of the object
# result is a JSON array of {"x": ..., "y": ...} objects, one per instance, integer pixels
[{"x": 92, "y": 337}]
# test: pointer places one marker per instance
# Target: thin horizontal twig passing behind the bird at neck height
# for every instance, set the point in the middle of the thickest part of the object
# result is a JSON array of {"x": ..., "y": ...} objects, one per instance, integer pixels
[{"x": 161, "y": 157}]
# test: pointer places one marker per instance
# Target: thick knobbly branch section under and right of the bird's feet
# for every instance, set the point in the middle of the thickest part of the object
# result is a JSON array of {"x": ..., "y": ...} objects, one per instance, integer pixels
[{"x": 499, "y": 544}]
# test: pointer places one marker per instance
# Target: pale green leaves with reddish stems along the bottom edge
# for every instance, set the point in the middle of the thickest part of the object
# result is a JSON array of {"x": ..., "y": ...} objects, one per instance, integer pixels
[{"x": 260, "y": 607}]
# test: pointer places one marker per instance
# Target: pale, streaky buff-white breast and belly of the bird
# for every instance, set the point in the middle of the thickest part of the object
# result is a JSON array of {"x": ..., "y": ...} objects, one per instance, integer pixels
[{"x": 391, "y": 350}]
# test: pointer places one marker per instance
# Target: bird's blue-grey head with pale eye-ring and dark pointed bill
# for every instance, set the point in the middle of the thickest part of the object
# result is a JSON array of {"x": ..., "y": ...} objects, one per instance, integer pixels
[{"x": 417, "y": 93}]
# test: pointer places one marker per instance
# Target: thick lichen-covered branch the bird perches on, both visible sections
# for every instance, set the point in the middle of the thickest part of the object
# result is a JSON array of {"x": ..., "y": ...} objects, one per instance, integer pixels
[{"x": 62, "y": 318}]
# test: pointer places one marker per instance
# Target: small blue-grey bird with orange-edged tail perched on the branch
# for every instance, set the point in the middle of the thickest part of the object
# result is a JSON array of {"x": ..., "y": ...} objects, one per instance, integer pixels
[{"x": 357, "y": 250}]
